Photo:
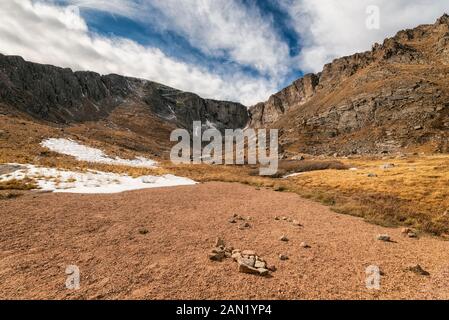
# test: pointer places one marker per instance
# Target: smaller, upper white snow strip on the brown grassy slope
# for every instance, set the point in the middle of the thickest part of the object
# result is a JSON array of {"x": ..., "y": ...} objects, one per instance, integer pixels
[{"x": 84, "y": 153}]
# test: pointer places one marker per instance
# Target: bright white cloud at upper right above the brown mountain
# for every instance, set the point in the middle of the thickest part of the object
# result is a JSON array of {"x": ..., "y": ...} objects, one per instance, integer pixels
[{"x": 331, "y": 29}]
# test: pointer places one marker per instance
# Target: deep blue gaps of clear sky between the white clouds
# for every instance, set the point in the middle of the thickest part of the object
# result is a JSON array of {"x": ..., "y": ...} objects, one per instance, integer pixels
[{"x": 178, "y": 46}]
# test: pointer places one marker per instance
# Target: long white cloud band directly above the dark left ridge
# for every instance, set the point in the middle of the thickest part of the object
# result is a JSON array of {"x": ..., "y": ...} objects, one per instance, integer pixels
[{"x": 44, "y": 33}]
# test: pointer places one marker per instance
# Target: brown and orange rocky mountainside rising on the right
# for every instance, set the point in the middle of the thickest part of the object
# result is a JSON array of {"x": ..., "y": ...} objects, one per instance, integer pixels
[{"x": 390, "y": 99}]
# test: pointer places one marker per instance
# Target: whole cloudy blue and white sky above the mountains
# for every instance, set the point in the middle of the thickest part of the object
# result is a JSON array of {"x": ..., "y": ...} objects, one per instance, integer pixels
[{"x": 239, "y": 50}]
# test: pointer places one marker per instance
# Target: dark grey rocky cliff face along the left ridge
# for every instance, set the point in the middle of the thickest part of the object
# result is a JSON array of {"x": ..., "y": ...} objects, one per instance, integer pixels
[{"x": 63, "y": 97}]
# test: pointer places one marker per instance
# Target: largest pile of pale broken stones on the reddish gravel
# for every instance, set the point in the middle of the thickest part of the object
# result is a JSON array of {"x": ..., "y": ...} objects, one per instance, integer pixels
[{"x": 248, "y": 261}]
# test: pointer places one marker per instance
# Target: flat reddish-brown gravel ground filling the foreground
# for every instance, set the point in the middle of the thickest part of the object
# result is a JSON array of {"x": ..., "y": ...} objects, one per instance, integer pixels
[{"x": 103, "y": 235}]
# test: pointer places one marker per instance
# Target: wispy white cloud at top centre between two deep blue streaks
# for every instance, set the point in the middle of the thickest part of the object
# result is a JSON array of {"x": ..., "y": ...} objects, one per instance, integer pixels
[{"x": 223, "y": 28}]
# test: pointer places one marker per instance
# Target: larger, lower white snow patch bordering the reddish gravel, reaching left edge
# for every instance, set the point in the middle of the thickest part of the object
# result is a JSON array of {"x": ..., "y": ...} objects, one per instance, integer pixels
[{"x": 94, "y": 182}]
